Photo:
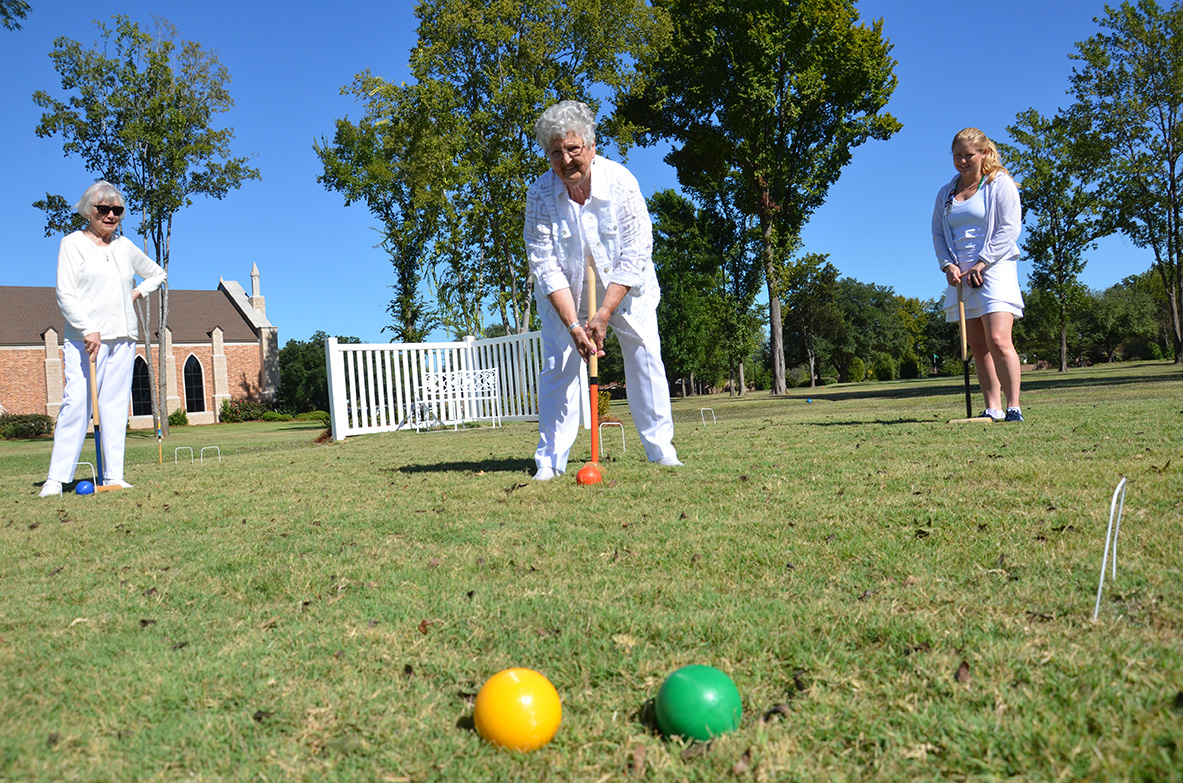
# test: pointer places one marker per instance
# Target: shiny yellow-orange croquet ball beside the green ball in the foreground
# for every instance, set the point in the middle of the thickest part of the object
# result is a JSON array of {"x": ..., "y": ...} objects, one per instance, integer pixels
[{"x": 519, "y": 709}]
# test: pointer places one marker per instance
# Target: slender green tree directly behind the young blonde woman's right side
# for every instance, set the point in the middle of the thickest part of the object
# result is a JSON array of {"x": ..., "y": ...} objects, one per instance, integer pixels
[{"x": 1059, "y": 163}]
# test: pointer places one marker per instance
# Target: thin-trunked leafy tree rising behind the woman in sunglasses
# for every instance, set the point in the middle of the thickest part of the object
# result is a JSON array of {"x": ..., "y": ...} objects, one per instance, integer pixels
[{"x": 140, "y": 114}]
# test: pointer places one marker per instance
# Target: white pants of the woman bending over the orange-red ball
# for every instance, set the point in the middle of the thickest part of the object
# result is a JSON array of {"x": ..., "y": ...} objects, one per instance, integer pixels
[{"x": 559, "y": 385}]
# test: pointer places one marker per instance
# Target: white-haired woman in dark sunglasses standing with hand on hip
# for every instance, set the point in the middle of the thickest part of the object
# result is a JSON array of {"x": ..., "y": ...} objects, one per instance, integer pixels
[{"x": 96, "y": 293}]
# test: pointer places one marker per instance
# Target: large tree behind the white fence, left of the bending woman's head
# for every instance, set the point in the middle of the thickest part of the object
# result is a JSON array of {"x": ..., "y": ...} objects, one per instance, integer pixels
[{"x": 483, "y": 75}]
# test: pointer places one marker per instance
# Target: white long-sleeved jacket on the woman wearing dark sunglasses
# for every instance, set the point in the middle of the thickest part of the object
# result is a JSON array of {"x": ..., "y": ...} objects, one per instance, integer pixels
[{"x": 95, "y": 286}]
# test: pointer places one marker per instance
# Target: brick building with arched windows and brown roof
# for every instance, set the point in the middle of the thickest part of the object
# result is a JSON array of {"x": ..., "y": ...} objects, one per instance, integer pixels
[{"x": 219, "y": 345}]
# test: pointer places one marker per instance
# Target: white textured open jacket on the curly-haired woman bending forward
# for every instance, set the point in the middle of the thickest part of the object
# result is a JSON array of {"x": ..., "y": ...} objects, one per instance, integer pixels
[{"x": 616, "y": 223}]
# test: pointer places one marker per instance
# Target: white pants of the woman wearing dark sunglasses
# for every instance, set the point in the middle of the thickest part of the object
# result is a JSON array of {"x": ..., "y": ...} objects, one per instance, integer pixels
[{"x": 115, "y": 364}]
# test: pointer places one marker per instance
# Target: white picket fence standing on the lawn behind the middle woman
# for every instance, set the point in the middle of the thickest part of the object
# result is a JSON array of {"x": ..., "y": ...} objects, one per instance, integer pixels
[{"x": 384, "y": 387}]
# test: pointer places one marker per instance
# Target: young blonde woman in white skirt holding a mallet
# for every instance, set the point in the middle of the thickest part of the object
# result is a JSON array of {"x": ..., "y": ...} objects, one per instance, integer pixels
[{"x": 975, "y": 234}]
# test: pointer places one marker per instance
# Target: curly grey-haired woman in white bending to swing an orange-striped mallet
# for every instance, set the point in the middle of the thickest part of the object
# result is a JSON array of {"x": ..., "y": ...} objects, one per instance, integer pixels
[{"x": 591, "y": 209}]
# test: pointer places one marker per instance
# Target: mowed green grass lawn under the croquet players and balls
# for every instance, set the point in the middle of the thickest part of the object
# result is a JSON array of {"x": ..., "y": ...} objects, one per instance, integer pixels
[{"x": 896, "y": 598}]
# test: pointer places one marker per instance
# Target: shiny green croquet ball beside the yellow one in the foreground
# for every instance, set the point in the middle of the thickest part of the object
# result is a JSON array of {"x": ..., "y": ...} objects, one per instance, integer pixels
[{"x": 699, "y": 703}]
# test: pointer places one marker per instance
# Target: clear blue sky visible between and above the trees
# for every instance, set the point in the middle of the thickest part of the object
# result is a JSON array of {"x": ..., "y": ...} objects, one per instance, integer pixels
[{"x": 959, "y": 64}]
